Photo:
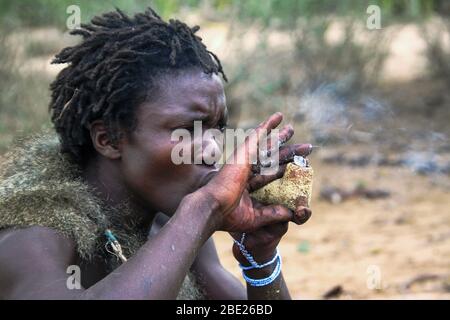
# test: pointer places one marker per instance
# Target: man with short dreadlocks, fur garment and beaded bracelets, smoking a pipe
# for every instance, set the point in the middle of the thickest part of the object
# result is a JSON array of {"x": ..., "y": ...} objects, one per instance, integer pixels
[{"x": 92, "y": 195}]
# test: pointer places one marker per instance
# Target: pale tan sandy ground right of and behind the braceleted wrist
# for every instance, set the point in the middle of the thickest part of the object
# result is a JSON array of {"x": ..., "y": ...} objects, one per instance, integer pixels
[{"x": 371, "y": 248}]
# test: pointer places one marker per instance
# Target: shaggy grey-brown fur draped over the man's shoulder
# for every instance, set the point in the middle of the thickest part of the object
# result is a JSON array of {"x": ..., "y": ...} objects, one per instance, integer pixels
[{"x": 40, "y": 186}]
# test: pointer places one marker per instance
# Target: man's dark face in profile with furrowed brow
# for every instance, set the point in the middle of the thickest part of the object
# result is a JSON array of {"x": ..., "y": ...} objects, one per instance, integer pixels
[{"x": 146, "y": 163}]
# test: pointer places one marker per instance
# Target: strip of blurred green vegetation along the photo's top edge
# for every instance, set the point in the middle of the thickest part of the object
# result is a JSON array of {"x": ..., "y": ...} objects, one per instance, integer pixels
[{"x": 282, "y": 12}]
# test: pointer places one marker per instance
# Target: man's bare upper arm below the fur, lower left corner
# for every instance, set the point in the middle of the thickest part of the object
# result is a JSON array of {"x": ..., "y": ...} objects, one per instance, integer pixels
[{"x": 31, "y": 257}]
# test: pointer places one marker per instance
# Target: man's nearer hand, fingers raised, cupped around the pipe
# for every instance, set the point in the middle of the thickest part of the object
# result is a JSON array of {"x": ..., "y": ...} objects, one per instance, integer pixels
[{"x": 230, "y": 187}]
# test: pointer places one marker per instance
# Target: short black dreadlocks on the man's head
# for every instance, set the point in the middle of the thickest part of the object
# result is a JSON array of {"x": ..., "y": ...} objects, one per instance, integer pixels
[{"x": 114, "y": 68}]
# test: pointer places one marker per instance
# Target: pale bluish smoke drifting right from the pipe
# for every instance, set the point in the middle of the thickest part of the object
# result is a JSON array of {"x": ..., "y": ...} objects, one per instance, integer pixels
[{"x": 334, "y": 116}]
